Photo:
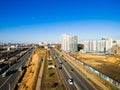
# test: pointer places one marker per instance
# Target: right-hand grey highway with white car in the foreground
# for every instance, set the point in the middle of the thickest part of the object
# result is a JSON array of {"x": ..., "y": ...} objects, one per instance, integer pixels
[{"x": 67, "y": 71}]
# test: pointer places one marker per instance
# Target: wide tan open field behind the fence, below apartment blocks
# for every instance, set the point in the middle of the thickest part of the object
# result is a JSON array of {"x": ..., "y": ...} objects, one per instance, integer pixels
[{"x": 107, "y": 64}]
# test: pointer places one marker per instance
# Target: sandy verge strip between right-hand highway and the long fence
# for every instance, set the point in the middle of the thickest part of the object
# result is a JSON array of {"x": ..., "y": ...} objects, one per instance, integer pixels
[{"x": 91, "y": 77}]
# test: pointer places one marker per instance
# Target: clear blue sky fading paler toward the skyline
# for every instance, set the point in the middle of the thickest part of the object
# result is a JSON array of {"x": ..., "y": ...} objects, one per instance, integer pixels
[{"x": 46, "y": 20}]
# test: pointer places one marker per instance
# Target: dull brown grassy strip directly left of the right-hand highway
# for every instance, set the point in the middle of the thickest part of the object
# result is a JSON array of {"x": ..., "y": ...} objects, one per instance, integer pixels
[{"x": 51, "y": 79}]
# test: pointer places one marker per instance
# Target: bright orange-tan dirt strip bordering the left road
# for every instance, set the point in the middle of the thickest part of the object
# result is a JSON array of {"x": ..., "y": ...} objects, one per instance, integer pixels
[{"x": 29, "y": 79}]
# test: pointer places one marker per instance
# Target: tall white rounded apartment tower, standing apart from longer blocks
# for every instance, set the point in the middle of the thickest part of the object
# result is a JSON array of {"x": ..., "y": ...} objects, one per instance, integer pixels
[{"x": 69, "y": 42}]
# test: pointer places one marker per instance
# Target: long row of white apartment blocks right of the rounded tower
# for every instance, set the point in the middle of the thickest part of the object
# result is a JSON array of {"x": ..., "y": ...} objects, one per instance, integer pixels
[{"x": 98, "y": 46}]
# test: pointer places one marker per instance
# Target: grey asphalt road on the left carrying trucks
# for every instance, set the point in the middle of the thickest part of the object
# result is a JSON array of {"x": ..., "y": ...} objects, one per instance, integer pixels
[{"x": 9, "y": 81}]
